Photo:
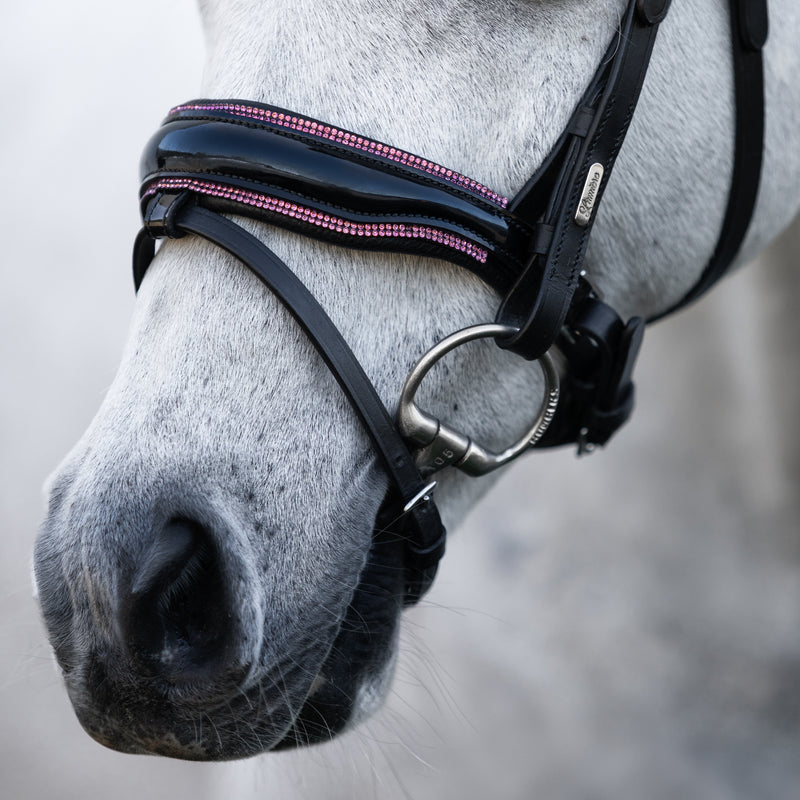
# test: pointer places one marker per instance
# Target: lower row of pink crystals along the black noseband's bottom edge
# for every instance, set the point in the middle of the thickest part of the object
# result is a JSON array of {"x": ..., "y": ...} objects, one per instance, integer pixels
[{"x": 318, "y": 218}]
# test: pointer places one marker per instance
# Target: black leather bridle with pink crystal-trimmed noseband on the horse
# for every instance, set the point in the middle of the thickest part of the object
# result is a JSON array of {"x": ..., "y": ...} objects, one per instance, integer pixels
[{"x": 228, "y": 156}]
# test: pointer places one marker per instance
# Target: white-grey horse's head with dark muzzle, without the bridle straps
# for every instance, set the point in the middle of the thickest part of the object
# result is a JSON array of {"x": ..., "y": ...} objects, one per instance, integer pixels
[{"x": 205, "y": 567}]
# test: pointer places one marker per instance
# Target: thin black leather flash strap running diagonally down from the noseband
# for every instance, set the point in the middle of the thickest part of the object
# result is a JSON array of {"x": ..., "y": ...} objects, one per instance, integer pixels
[{"x": 416, "y": 519}]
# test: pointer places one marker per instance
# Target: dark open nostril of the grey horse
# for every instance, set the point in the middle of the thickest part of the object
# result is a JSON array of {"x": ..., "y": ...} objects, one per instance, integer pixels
[{"x": 174, "y": 621}]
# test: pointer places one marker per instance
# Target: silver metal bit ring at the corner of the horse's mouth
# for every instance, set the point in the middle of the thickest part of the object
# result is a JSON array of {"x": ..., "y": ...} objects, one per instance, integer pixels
[{"x": 444, "y": 446}]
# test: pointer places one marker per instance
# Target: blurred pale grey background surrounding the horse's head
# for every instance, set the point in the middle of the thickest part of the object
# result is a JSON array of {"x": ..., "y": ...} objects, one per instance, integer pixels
[{"x": 623, "y": 626}]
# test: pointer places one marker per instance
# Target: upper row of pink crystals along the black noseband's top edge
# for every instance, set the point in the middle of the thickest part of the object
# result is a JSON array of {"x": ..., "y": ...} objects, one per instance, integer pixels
[{"x": 282, "y": 119}]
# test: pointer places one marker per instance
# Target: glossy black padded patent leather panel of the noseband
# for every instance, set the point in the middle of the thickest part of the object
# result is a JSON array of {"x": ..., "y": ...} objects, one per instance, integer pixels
[{"x": 355, "y": 186}]
